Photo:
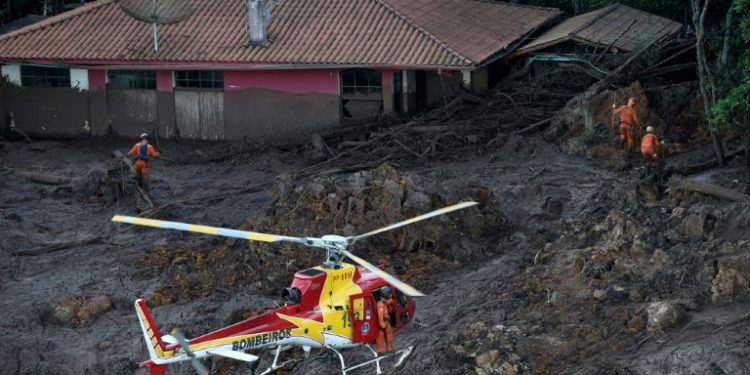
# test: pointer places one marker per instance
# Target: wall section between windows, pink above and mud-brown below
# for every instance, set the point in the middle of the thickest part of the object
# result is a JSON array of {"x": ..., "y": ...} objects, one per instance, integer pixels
[{"x": 280, "y": 105}]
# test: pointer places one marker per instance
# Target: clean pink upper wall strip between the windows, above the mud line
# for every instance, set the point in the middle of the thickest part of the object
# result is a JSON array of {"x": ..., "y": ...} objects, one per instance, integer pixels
[{"x": 321, "y": 81}]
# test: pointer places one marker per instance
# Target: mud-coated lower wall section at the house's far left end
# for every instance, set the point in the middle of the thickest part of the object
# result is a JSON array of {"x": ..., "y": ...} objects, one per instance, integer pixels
[{"x": 47, "y": 111}]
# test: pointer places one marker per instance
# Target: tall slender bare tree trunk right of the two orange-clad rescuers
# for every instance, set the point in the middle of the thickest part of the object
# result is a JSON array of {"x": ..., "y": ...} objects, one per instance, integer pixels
[{"x": 706, "y": 79}]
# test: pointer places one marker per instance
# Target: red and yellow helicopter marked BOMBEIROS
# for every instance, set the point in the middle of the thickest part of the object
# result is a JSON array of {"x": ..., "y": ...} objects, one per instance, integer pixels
[{"x": 331, "y": 306}]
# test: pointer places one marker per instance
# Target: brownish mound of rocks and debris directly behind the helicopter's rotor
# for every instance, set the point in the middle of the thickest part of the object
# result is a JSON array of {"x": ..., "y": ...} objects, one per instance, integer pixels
[{"x": 362, "y": 202}]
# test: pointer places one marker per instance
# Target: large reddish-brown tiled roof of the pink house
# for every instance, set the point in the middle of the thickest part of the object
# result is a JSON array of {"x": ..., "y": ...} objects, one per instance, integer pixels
[{"x": 402, "y": 33}]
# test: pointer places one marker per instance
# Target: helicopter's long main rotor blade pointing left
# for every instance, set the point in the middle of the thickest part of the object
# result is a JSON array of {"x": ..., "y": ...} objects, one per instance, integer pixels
[{"x": 216, "y": 231}]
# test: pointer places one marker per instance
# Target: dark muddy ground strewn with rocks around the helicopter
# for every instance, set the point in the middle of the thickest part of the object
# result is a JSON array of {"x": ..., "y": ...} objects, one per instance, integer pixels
[{"x": 571, "y": 265}]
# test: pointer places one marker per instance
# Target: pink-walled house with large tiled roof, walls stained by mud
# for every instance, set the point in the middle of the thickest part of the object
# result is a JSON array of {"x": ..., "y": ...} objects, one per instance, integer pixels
[{"x": 95, "y": 70}]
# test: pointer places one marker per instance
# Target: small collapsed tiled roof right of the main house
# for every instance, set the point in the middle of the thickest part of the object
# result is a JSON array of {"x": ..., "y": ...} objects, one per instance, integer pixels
[{"x": 617, "y": 25}]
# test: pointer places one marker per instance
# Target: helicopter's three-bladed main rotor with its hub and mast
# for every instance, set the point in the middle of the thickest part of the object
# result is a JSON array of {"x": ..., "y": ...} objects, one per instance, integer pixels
[{"x": 334, "y": 245}]
